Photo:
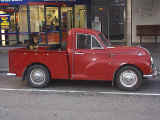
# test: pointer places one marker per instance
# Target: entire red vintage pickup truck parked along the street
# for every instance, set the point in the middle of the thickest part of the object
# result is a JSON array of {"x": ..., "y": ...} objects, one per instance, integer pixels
[{"x": 86, "y": 55}]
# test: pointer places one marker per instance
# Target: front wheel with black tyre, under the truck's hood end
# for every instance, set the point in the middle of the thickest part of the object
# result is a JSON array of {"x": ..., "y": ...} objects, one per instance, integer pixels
[{"x": 128, "y": 78}]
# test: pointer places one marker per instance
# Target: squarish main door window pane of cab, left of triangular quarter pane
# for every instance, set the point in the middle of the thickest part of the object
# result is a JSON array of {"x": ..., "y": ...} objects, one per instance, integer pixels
[{"x": 83, "y": 41}]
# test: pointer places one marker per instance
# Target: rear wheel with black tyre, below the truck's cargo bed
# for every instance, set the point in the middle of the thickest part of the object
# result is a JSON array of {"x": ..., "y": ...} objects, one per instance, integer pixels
[{"x": 38, "y": 76}]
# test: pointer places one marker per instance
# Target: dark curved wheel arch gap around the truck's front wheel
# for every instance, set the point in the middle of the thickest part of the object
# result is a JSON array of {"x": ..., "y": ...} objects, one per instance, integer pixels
[{"x": 115, "y": 73}]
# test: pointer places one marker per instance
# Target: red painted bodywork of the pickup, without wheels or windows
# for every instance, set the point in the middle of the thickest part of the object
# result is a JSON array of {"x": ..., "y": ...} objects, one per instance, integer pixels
[{"x": 94, "y": 64}]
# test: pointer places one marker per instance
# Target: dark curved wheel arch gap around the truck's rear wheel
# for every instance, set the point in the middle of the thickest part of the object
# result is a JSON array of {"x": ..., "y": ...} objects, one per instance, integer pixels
[{"x": 26, "y": 69}]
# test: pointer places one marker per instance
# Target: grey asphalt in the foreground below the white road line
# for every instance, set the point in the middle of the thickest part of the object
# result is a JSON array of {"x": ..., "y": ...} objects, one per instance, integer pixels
[{"x": 52, "y": 106}]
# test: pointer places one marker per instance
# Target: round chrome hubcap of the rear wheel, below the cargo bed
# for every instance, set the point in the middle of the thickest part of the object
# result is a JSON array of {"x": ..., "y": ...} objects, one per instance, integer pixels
[{"x": 38, "y": 76}]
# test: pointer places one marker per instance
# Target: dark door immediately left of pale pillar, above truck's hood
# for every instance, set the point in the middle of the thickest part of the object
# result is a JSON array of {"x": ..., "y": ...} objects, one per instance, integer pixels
[{"x": 117, "y": 20}]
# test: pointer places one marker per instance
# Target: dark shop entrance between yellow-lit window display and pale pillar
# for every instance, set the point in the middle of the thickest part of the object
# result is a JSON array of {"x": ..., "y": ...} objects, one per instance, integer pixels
[{"x": 110, "y": 17}]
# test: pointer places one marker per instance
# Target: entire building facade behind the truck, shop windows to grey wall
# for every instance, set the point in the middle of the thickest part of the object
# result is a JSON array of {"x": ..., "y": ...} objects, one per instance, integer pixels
[{"x": 117, "y": 19}]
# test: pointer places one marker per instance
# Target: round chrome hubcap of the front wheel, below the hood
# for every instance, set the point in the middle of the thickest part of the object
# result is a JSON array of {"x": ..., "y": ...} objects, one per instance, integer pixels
[{"x": 128, "y": 78}]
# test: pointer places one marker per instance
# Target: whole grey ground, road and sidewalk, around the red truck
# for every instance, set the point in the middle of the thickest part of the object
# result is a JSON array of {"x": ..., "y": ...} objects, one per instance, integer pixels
[{"x": 78, "y": 100}]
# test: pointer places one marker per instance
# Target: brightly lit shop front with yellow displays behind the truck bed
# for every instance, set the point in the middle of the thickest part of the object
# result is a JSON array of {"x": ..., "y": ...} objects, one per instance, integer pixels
[{"x": 51, "y": 19}]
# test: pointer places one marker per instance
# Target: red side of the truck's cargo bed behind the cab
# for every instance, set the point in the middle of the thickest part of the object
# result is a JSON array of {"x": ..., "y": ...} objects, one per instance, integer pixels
[{"x": 55, "y": 60}]
